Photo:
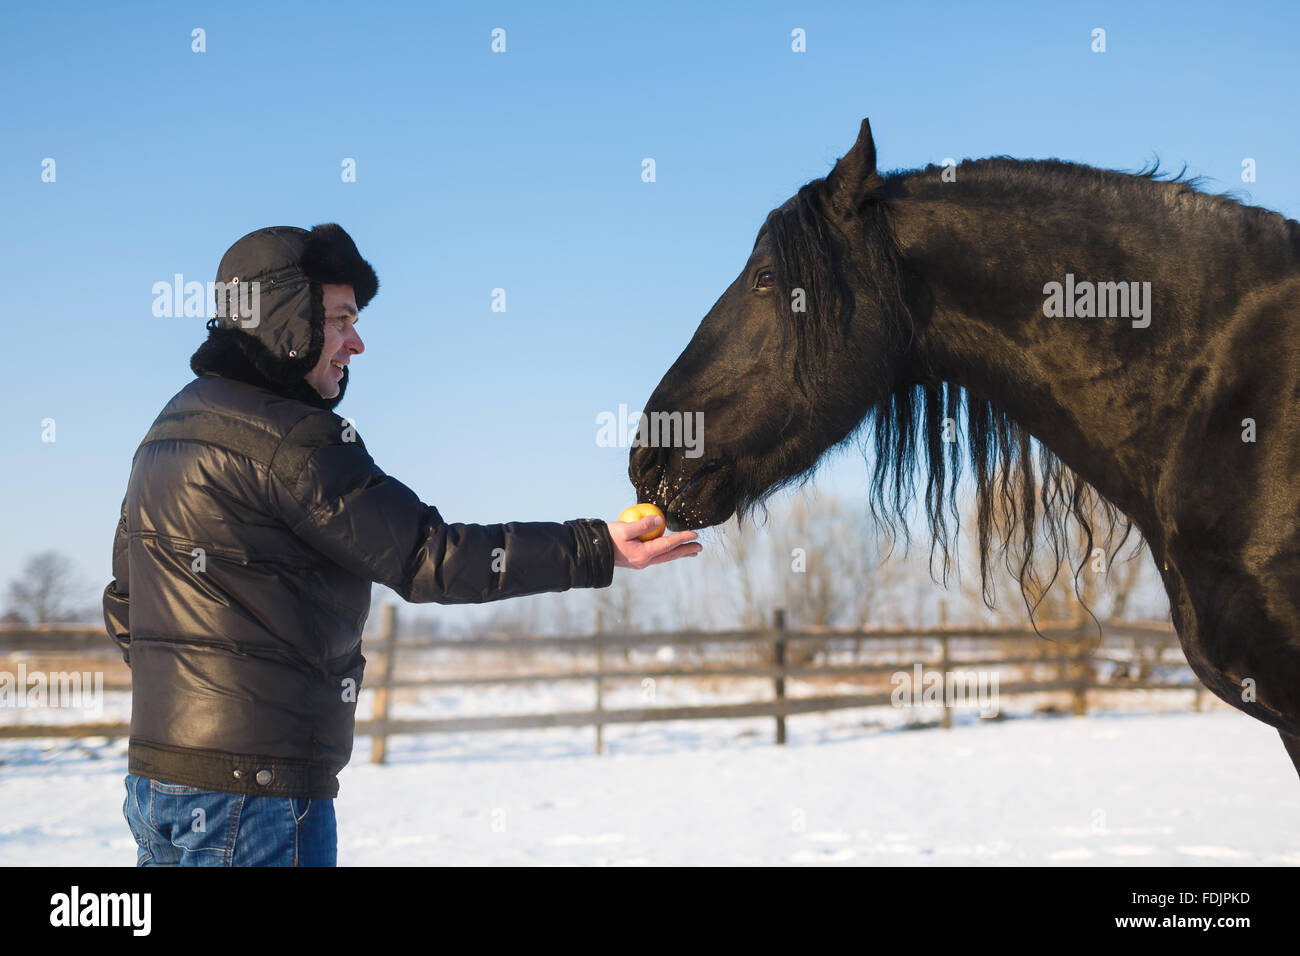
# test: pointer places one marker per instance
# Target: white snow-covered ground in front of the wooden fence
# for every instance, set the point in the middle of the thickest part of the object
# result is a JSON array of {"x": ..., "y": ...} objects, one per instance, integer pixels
[{"x": 1106, "y": 790}]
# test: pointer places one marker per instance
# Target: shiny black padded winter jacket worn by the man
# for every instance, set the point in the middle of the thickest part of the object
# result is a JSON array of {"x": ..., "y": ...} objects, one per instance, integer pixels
[{"x": 250, "y": 534}]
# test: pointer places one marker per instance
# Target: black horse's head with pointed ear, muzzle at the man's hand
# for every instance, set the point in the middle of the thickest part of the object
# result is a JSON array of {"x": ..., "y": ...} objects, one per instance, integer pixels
[{"x": 801, "y": 347}]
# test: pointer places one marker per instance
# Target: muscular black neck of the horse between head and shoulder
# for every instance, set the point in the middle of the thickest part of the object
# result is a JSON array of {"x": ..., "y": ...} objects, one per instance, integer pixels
[{"x": 1097, "y": 391}]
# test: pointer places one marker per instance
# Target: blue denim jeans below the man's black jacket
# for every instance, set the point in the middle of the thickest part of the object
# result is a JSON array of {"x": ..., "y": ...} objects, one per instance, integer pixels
[{"x": 187, "y": 827}]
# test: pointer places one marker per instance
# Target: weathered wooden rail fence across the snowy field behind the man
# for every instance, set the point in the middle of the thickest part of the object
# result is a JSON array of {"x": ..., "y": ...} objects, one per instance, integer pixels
[{"x": 777, "y": 655}]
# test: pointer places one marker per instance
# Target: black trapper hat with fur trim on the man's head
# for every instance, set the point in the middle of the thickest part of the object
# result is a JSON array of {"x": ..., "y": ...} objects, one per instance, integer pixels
[{"x": 270, "y": 327}]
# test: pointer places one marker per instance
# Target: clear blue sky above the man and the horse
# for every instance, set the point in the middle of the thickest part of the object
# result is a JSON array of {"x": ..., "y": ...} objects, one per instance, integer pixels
[{"x": 521, "y": 171}]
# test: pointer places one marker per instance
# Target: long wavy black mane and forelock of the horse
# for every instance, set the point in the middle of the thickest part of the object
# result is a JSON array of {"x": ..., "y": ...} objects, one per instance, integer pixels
[{"x": 1026, "y": 503}]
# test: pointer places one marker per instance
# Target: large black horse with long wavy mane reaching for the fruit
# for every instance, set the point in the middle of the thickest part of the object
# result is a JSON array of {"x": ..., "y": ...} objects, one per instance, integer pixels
[{"x": 1093, "y": 332}]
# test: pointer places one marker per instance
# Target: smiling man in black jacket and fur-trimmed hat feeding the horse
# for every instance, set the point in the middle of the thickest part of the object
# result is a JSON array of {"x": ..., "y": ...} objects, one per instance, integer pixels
[{"x": 253, "y": 527}]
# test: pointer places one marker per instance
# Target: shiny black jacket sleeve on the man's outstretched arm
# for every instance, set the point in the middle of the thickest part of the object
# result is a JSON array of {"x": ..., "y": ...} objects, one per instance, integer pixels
[{"x": 332, "y": 495}]
